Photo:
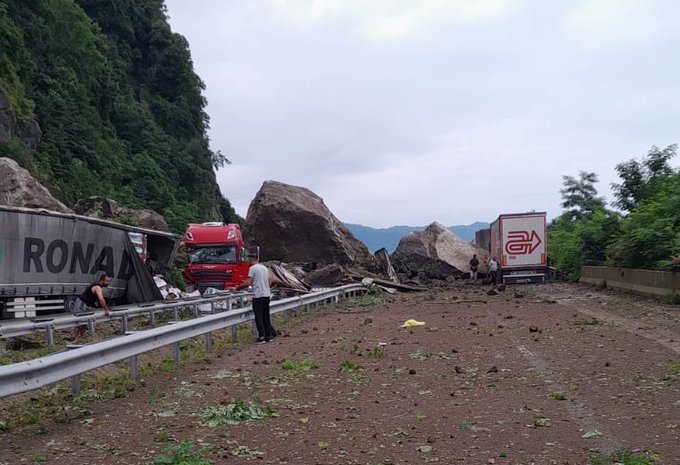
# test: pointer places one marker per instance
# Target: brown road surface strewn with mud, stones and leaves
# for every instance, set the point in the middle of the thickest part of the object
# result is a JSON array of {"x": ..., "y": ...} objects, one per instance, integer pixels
[{"x": 506, "y": 379}]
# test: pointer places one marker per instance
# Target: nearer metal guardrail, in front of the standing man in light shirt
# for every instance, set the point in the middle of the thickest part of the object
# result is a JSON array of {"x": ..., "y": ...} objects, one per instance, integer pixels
[{"x": 70, "y": 364}]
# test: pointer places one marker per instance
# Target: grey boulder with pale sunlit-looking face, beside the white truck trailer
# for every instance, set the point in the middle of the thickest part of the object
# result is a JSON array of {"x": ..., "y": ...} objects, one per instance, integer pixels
[{"x": 435, "y": 253}]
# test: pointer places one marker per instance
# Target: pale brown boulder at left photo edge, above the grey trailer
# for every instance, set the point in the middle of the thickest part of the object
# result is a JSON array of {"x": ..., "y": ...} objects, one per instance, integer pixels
[{"x": 19, "y": 189}]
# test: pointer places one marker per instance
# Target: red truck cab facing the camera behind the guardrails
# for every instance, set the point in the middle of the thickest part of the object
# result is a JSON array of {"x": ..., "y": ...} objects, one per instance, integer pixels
[{"x": 217, "y": 256}]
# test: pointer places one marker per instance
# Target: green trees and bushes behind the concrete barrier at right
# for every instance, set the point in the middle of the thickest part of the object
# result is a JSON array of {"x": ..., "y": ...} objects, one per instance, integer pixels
[{"x": 642, "y": 230}]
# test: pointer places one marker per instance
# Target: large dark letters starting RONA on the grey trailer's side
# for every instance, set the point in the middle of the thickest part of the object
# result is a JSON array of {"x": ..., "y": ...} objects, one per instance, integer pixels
[{"x": 58, "y": 257}]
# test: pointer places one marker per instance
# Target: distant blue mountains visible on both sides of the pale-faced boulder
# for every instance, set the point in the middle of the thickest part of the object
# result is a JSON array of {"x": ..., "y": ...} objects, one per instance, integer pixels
[{"x": 377, "y": 238}]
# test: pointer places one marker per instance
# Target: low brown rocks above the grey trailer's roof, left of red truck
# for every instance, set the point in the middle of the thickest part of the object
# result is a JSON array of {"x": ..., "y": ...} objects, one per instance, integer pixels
[{"x": 107, "y": 209}]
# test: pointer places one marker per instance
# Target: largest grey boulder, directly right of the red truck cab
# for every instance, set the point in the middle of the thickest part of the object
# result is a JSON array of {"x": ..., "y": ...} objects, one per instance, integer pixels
[{"x": 292, "y": 224}]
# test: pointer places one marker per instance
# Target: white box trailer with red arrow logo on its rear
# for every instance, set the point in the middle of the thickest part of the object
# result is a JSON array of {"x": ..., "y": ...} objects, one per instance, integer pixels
[{"x": 519, "y": 242}]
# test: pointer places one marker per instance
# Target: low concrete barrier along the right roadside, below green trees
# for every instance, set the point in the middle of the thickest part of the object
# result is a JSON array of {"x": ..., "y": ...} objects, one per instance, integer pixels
[{"x": 658, "y": 283}]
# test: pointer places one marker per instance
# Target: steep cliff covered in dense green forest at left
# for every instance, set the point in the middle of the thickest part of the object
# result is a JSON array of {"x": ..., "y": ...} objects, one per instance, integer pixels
[{"x": 118, "y": 102}]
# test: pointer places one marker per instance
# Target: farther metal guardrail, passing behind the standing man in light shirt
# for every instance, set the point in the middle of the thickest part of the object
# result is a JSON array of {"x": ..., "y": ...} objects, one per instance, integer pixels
[{"x": 122, "y": 313}]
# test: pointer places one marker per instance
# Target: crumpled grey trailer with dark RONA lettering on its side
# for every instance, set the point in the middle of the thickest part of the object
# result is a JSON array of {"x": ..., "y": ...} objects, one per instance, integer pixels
[{"x": 47, "y": 259}]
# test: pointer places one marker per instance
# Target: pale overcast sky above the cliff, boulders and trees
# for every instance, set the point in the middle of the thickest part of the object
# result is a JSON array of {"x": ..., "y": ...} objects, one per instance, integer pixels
[{"x": 412, "y": 111}]
